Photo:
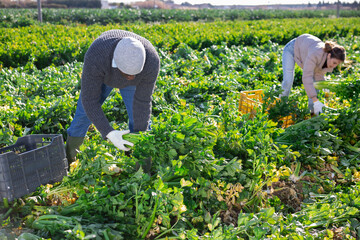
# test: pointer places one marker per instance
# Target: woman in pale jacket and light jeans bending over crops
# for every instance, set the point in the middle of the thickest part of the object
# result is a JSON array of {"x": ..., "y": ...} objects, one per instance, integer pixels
[{"x": 315, "y": 58}]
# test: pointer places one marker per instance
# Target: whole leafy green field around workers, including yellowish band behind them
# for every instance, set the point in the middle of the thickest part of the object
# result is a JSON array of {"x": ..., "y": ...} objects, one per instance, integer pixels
[{"x": 216, "y": 173}]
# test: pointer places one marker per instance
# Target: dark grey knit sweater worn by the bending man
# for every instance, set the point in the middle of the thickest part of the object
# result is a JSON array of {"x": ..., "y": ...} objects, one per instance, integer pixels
[{"x": 98, "y": 70}]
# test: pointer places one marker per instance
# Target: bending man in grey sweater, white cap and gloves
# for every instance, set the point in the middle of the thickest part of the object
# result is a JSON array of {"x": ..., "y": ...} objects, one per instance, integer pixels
[{"x": 116, "y": 59}]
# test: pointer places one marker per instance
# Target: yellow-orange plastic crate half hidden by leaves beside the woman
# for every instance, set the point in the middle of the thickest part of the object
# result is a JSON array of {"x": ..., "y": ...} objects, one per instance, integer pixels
[{"x": 252, "y": 100}]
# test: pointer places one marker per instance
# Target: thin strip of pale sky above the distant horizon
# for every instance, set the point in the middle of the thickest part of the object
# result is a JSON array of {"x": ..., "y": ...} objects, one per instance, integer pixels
[{"x": 245, "y": 2}]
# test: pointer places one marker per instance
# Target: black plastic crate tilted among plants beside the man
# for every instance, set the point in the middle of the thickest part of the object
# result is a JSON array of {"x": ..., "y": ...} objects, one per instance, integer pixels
[{"x": 32, "y": 161}]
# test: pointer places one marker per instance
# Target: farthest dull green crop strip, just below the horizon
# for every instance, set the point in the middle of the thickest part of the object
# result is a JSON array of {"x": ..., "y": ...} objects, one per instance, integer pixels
[{"x": 27, "y": 17}]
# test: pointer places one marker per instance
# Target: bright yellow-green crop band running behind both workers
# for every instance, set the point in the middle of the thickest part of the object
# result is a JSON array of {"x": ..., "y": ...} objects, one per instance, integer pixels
[{"x": 56, "y": 44}]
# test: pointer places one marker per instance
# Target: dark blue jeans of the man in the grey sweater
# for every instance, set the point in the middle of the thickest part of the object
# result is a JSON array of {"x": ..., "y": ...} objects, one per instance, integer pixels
[{"x": 81, "y": 123}]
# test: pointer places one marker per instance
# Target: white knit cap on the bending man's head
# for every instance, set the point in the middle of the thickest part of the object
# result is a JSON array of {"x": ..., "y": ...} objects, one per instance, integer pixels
[{"x": 129, "y": 56}]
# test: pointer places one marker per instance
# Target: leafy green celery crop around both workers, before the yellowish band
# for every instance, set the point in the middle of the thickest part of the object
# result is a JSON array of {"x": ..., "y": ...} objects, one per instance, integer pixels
[{"x": 216, "y": 174}]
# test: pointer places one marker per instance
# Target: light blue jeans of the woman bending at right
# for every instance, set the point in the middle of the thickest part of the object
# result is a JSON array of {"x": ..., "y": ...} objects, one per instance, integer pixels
[{"x": 288, "y": 62}]
